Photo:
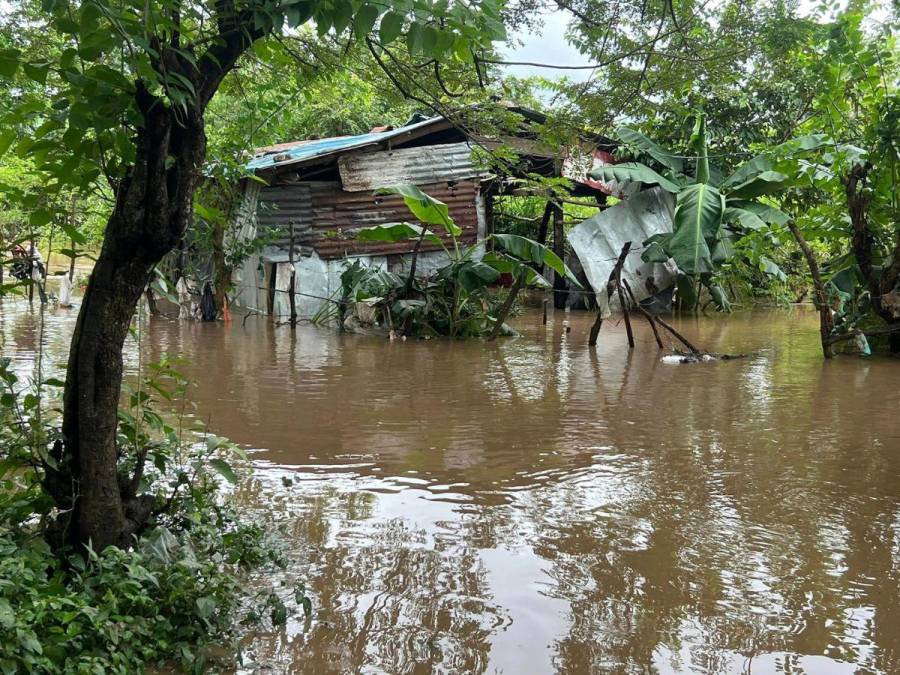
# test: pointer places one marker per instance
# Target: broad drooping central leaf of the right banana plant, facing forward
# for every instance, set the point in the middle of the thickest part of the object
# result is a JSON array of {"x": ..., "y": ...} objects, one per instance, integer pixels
[{"x": 698, "y": 216}]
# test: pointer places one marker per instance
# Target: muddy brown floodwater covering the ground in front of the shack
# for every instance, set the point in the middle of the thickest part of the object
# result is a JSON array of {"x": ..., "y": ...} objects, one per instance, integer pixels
[{"x": 532, "y": 506}]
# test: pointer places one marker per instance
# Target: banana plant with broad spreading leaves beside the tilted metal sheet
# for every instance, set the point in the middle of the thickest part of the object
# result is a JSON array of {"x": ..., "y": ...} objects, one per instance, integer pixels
[{"x": 710, "y": 212}]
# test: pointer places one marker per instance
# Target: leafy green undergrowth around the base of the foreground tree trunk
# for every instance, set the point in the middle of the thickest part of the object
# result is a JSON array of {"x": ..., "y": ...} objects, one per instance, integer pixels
[{"x": 178, "y": 598}]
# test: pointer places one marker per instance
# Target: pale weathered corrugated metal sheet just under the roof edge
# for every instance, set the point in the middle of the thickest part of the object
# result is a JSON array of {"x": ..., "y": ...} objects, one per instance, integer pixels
[{"x": 366, "y": 171}]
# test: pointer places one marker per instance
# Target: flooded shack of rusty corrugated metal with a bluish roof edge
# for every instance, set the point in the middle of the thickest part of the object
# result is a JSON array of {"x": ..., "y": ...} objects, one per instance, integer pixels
[{"x": 314, "y": 196}]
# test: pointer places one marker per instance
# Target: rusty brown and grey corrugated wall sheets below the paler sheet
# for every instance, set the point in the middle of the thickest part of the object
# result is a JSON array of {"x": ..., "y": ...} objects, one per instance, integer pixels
[{"x": 327, "y": 218}]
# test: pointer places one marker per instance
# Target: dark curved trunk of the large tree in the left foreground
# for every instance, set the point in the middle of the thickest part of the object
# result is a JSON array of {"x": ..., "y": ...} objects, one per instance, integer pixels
[{"x": 153, "y": 208}]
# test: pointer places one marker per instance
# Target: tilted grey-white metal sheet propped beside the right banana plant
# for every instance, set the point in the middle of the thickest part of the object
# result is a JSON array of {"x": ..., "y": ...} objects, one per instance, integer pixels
[{"x": 598, "y": 241}]
